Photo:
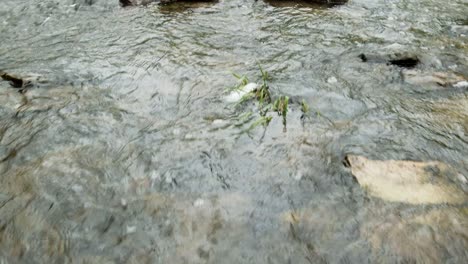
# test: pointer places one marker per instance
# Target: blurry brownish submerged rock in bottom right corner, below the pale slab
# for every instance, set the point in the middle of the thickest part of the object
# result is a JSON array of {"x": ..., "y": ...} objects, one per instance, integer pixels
[{"x": 420, "y": 237}]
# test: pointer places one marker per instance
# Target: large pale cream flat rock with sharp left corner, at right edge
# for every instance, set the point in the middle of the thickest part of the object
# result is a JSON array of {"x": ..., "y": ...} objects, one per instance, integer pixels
[{"x": 406, "y": 181}]
